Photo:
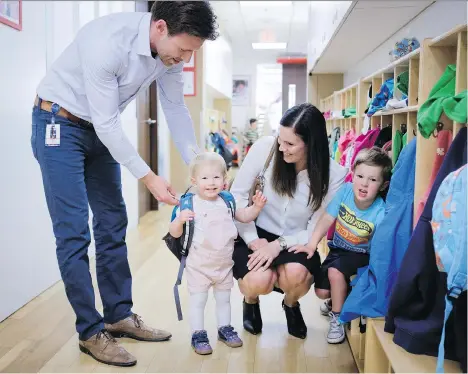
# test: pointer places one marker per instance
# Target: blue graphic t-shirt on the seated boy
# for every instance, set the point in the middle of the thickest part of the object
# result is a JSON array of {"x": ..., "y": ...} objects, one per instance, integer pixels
[{"x": 354, "y": 227}]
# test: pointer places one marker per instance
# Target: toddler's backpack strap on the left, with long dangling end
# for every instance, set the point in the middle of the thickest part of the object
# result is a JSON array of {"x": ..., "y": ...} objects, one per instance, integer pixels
[{"x": 186, "y": 202}]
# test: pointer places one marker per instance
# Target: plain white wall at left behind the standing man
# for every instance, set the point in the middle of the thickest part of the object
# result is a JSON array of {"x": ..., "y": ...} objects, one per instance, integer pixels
[{"x": 28, "y": 264}]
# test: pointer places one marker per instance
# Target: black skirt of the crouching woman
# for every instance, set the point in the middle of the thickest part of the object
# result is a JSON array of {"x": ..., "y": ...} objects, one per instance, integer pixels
[{"x": 241, "y": 256}]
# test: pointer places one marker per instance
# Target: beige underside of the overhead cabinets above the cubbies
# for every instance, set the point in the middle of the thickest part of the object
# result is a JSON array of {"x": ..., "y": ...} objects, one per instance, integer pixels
[{"x": 368, "y": 25}]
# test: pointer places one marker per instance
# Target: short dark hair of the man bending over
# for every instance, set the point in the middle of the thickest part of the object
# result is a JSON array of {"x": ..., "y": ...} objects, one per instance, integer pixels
[{"x": 194, "y": 18}]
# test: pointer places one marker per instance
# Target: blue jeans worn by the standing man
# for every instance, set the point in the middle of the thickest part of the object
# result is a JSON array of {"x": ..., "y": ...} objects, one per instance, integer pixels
[{"x": 77, "y": 172}]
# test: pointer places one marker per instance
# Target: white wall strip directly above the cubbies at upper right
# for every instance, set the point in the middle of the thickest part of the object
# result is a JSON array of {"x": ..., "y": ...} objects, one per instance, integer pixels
[{"x": 437, "y": 19}]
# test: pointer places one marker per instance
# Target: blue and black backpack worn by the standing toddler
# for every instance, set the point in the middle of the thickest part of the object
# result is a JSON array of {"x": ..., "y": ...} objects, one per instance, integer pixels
[{"x": 180, "y": 246}]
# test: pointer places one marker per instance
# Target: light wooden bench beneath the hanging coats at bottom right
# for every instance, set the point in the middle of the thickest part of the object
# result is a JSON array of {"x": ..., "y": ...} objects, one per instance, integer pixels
[{"x": 382, "y": 355}]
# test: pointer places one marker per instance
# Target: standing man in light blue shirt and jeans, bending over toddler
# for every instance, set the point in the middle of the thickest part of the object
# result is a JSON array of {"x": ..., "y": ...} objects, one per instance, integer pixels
[{"x": 78, "y": 140}]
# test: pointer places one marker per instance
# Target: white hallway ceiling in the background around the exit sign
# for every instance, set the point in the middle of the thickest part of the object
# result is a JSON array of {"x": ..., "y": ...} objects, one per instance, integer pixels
[{"x": 243, "y": 26}]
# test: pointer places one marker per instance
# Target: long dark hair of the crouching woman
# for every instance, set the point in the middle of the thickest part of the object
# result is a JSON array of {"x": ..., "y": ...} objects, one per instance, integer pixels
[{"x": 309, "y": 124}]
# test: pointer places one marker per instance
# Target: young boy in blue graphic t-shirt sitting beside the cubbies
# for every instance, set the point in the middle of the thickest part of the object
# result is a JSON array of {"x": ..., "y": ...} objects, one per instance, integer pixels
[{"x": 358, "y": 210}]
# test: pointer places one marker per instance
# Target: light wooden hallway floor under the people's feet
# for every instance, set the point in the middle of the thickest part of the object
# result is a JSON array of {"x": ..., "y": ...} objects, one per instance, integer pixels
[{"x": 41, "y": 336}]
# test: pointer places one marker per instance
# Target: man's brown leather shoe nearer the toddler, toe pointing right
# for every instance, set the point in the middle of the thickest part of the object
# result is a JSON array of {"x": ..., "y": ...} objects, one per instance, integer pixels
[{"x": 133, "y": 327}]
